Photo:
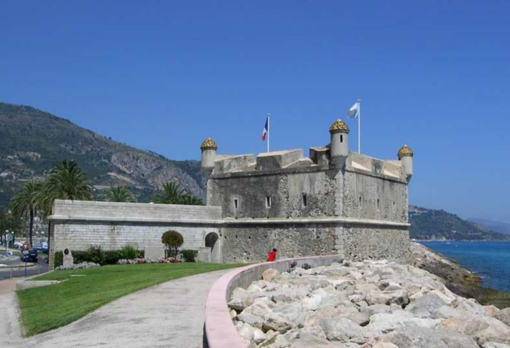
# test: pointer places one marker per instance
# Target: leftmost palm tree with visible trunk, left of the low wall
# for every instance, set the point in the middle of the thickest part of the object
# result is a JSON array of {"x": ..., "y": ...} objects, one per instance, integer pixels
[{"x": 28, "y": 202}]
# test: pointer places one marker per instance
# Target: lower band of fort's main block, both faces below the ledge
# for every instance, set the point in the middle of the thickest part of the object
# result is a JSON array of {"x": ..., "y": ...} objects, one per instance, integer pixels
[{"x": 252, "y": 243}]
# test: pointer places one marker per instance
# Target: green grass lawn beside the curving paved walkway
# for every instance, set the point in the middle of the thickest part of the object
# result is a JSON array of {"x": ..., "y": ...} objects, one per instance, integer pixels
[{"x": 50, "y": 307}]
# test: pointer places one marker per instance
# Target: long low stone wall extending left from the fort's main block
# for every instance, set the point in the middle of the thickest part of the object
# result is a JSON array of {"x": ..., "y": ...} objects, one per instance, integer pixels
[{"x": 77, "y": 225}]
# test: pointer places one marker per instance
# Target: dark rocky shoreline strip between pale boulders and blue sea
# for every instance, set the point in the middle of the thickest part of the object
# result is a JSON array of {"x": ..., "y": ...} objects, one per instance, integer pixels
[{"x": 458, "y": 279}]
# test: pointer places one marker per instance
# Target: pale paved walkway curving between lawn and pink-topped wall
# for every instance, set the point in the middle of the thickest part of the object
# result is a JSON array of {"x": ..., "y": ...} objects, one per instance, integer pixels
[{"x": 167, "y": 315}]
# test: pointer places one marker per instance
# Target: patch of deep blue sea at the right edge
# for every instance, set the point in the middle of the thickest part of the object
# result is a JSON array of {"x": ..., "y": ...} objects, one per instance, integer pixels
[{"x": 490, "y": 260}]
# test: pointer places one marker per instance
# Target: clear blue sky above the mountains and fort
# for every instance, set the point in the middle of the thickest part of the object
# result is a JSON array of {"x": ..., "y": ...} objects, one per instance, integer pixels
[{"x": 164, "y": 75}]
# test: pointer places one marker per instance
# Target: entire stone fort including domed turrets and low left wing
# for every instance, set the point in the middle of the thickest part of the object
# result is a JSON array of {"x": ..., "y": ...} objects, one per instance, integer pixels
[{"x": 332, "y": 202}]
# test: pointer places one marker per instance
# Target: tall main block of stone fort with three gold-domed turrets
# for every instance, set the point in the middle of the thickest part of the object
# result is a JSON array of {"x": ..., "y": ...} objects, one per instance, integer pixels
[{"x": 334, "y": 201}]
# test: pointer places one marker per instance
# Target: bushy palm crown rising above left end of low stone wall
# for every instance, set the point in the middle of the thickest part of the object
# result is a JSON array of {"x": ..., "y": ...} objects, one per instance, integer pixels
[{"x": 66, "y": 181}]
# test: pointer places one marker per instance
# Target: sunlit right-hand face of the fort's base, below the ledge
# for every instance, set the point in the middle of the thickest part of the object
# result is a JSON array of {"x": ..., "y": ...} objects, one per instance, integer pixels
[{"x": 374, "y": 242}]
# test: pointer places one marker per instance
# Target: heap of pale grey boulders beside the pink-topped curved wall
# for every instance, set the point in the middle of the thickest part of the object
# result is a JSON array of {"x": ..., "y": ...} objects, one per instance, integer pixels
[{"x": 370, "y": 304}]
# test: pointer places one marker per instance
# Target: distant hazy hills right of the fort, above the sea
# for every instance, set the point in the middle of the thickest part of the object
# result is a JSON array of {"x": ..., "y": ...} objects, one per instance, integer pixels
[{"x": 430, "y": 224}]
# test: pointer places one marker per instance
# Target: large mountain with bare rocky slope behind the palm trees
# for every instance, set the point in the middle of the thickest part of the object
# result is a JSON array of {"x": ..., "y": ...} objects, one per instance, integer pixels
[{"x": 32, "y": 141}]
